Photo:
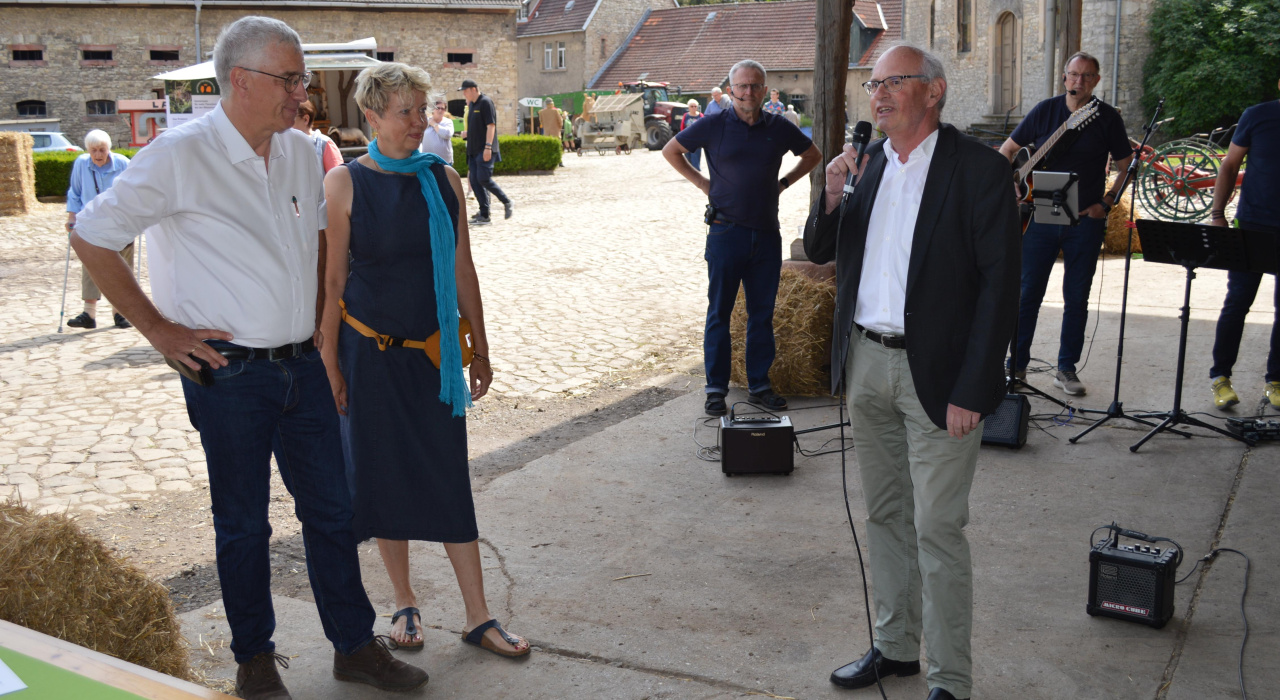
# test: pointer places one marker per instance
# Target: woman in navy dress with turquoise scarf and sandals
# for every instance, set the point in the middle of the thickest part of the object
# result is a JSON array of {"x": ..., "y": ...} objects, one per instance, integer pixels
[{"x": 399, "y": 274}]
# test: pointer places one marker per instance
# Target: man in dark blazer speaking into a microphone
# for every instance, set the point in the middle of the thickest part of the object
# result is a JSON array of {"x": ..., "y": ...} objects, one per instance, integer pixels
[{"x": 929, "y": 267}]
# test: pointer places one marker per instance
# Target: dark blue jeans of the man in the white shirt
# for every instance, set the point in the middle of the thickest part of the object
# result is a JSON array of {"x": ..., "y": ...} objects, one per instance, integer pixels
[{"x": 253, "y": 410}]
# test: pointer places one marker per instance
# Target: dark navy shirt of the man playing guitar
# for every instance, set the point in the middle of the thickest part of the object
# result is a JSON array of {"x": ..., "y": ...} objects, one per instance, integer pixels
[{"x": 1087, "y": 157}]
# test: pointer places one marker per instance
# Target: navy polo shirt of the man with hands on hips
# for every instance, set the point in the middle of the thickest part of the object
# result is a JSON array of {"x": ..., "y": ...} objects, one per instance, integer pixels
[{"x": 746, "y": 163}]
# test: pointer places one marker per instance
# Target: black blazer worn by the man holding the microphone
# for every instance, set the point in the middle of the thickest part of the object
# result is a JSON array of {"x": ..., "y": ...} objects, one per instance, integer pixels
[{"x": 963, "y": 278}]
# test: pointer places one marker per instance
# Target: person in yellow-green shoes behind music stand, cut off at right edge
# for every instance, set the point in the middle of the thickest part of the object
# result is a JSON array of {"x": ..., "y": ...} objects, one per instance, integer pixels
[{"x": 1259, "y": 138}]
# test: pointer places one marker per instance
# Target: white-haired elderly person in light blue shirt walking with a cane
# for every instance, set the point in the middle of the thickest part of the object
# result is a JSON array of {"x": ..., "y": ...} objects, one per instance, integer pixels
[{"x": 93, "y": 175}]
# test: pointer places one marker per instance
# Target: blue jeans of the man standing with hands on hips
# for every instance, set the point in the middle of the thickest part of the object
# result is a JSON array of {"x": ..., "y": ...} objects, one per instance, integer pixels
[{"x": 752, "y": 259}]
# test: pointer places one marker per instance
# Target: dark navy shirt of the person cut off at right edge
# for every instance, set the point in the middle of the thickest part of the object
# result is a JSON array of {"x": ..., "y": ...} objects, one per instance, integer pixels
[{"x": 1260, "y": 132}]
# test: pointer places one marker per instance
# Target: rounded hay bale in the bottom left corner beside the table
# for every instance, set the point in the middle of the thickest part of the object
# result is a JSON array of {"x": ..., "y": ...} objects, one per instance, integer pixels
[{"x": 54, "y": 579}]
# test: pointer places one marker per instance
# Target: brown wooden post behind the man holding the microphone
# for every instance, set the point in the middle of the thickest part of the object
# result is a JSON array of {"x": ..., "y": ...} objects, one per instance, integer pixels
[{"x": 833, "y": 22}]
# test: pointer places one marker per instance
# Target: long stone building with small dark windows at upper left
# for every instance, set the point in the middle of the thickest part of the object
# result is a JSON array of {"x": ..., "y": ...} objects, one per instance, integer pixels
[{"x": 76, "y": 60}]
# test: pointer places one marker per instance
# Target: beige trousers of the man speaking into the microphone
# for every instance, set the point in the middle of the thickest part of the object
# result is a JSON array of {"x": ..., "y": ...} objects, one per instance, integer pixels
[{"x": 916, "y": 483}]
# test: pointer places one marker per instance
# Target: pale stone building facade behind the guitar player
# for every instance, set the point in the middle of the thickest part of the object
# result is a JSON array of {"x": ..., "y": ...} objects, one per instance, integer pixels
[{"x": 995, "y": 53}]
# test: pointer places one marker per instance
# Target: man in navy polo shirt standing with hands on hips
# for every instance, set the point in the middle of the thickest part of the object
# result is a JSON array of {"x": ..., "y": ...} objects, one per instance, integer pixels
[{"x": 744, "y": 246}]
